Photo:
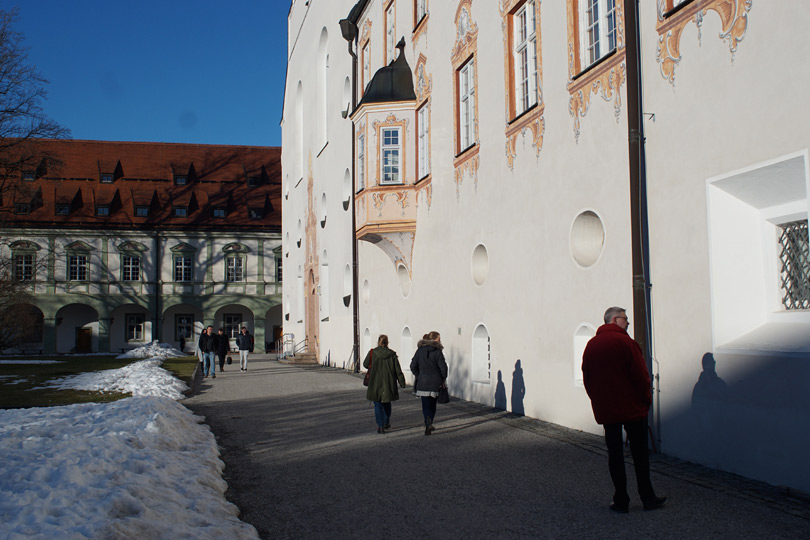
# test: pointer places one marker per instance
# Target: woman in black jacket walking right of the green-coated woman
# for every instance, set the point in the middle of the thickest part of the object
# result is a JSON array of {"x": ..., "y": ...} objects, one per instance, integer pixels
[{"x": 430, "y": 369}]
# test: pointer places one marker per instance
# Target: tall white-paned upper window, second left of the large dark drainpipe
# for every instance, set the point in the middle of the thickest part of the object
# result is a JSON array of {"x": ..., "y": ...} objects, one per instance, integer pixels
[{"x": 524, "y": 57}]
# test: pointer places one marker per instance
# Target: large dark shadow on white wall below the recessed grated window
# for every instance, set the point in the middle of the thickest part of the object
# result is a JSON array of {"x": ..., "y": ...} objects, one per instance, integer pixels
[{"x": 753, "y": 423}]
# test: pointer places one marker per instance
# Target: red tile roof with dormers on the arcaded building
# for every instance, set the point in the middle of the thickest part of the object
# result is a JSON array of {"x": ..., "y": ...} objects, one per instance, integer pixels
[{"x": 144, "y": 175}]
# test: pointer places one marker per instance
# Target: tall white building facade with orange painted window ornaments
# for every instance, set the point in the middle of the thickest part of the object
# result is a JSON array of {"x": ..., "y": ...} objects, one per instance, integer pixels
[{"x": 493, "y": 204}]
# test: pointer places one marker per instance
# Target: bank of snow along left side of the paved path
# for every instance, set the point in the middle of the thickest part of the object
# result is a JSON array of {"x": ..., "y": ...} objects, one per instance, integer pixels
[{"x": 142, "y": 467}]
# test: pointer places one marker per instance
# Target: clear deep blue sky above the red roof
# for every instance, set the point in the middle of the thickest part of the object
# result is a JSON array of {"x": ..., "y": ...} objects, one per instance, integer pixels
[{"x": 161, "y": 70}]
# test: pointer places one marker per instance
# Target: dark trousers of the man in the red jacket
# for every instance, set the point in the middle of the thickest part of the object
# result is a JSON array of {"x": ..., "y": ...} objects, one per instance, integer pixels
[{"x": 637, "y": 435}]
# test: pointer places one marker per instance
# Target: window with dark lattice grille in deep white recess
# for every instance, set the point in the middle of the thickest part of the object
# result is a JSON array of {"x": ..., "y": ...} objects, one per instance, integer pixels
[{"x": 794, "y": 258}]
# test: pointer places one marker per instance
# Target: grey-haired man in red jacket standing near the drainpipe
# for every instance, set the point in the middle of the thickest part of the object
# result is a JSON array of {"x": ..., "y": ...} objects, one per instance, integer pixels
[{"x": 618, "y": 383}]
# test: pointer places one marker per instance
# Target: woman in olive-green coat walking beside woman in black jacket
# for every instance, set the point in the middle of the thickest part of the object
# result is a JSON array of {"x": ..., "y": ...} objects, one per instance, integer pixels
[{"x": 384, "y": 375}]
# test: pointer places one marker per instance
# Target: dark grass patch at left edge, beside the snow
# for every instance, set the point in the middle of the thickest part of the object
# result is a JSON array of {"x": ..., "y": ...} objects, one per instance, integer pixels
[{"x": 19, "y": 382}]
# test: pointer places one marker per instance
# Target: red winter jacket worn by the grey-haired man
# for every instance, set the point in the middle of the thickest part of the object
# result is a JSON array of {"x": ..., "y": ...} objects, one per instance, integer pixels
[{"x": 616, "y": 376}]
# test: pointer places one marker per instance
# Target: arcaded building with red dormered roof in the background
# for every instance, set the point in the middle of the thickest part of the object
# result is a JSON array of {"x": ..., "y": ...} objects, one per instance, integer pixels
[{"x": 123, "y": 243}]
